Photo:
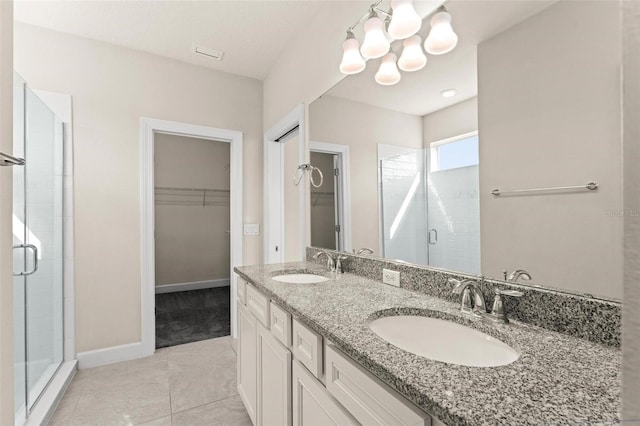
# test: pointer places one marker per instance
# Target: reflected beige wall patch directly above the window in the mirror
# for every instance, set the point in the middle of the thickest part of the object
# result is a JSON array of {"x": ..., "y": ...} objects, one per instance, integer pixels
[{"x": 453, "y": 121}]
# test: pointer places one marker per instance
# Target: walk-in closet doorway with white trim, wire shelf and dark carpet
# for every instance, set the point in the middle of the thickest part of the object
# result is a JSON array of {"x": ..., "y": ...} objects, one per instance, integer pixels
[{"x": 192, "y": 232}]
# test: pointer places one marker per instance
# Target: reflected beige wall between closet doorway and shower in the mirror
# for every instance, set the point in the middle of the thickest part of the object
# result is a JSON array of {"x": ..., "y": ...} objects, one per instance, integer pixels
[{"x": 362, "y": 127}]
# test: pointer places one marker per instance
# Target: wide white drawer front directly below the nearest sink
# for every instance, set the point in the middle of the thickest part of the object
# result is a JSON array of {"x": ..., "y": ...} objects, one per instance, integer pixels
[{"x": 365, "y": 396}]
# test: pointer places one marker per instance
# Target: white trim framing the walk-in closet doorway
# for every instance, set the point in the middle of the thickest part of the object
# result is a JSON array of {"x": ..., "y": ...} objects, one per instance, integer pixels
[{"x": 148, "y": 127}]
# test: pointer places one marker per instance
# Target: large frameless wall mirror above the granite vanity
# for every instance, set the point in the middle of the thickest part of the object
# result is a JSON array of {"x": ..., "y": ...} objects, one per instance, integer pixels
[{"x": 535, "y": 105}]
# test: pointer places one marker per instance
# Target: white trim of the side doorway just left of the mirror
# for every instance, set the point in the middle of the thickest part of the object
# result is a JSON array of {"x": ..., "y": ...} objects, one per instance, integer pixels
[{"x": 274, "y": 175}]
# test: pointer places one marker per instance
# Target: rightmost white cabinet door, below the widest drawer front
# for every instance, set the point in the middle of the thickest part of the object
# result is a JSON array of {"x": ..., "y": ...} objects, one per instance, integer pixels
[{"x": 312, "y": 405}]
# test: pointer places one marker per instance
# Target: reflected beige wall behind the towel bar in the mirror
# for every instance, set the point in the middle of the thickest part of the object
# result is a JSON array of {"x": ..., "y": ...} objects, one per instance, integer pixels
[{"x": 549, "y": 115}]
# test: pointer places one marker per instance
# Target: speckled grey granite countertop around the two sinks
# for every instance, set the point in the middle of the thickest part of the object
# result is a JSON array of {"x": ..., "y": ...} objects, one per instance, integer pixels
[{"x": 558, "y": 379}]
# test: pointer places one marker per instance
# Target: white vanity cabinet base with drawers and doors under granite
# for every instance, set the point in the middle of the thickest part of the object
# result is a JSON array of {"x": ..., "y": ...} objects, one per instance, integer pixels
[{"x": 288, "y": 374}]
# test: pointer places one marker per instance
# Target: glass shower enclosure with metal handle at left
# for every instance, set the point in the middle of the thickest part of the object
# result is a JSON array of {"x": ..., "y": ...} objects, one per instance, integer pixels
[{"x": 37, "y": 247}]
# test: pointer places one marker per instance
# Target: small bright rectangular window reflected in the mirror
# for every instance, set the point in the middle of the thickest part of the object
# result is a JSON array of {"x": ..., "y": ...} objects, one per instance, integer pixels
[{"x": 460, "y": 151}]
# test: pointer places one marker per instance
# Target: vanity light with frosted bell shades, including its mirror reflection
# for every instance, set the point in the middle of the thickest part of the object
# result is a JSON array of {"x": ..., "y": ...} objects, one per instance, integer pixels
[{"x": 402, "y": 23}]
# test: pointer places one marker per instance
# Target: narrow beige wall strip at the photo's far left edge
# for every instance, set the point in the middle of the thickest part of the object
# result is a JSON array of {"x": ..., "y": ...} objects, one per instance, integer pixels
[{"x": 6, "y": 201}]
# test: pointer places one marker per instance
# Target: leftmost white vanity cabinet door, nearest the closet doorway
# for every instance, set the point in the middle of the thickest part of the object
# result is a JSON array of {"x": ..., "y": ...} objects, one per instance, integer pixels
[{"x": 247, "y": 360}]
